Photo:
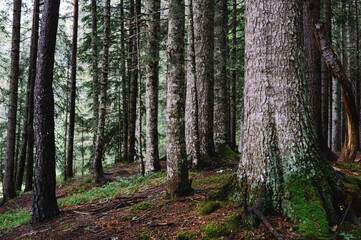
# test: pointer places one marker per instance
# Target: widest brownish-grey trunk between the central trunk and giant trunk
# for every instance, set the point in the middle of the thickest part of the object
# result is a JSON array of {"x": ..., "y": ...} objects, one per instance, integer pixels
[{"x": 203, "y": 14}]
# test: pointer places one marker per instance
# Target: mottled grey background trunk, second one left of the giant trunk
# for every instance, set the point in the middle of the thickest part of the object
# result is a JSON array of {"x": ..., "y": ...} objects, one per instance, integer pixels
[{"x": 221, "y": 117}]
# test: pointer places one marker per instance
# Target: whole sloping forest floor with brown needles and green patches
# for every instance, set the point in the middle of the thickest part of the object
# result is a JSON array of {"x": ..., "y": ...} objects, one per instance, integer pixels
[{"x": 135, "y": 207}]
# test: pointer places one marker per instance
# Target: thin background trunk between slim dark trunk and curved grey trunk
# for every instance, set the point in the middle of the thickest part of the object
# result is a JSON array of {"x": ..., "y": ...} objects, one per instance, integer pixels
[{"x": 95, "y": 71}]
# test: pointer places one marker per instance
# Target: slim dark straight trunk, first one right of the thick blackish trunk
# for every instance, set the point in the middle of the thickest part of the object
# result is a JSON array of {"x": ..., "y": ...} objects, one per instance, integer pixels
[{"x": 69, "y": 160}]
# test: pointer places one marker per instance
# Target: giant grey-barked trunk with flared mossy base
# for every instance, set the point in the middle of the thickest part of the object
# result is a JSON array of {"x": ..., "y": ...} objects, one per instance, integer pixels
[{"x": 281, "y": 167}]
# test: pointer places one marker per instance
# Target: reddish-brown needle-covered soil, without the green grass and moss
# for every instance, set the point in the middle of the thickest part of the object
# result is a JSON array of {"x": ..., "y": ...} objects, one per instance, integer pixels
[{"x": 114, "y": 220}]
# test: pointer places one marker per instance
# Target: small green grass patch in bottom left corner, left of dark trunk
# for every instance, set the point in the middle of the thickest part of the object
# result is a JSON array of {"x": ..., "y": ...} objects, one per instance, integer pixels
[{"x": 14, "y": 218}]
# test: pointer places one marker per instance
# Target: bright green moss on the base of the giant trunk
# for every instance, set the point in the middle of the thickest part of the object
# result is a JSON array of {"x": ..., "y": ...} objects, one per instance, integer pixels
[{"x": 306, "y": 209}]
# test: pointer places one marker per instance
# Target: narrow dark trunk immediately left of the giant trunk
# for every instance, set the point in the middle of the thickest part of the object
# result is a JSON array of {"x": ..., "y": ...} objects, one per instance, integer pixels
[{"x": 233, "y": 94}]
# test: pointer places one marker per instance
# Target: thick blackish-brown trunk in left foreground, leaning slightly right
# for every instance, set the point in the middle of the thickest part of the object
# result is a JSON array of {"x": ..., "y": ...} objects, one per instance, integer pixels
[{"x": 44, "y": 201}]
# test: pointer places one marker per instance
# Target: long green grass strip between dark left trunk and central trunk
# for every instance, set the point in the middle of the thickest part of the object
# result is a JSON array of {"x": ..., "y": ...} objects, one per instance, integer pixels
[{"x": 123, "y": 186}]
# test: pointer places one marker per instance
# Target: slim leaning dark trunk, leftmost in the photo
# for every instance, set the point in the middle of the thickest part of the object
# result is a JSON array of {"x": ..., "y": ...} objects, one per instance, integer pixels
[{"x": 9, "y": 186}]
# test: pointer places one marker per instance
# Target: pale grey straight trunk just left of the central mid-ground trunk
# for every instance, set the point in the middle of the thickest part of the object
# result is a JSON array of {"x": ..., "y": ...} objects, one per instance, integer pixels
[{"x": 152, "y": 83}]
